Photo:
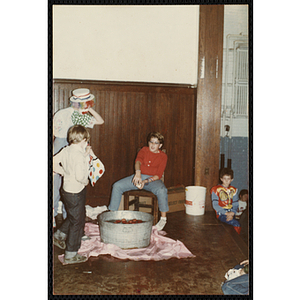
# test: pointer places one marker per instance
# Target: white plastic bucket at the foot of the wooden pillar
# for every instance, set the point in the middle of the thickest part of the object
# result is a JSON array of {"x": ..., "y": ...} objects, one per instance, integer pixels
[{"x": 195, "y": 200}]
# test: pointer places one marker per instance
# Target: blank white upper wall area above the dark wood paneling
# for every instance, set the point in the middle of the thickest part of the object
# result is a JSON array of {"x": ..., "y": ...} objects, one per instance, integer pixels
[{"x": 126, "y": 43}]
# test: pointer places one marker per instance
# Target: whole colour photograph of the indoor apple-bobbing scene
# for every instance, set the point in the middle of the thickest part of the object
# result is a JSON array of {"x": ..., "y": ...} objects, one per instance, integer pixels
[{"x": 151, "y": 174}]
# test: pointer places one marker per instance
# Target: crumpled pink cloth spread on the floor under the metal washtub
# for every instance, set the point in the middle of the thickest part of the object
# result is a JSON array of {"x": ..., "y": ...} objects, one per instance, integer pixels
[{"x": 160, "y": 247}]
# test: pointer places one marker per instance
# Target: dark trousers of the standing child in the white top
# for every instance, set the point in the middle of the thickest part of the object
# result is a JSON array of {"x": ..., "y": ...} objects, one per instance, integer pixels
[{"x": 73, "y": 226}]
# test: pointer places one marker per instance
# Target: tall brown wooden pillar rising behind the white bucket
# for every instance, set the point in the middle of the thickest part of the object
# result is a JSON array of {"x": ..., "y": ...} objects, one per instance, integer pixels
[{"x": 209, "y": 97}]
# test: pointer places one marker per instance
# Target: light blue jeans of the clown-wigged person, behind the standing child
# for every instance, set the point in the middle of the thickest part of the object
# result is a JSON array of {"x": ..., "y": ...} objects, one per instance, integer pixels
[{"x": 58, "y": 144}]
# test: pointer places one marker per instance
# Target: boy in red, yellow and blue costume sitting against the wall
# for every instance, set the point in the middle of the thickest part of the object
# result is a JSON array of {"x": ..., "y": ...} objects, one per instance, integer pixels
[{"x": 225, "y": 200}]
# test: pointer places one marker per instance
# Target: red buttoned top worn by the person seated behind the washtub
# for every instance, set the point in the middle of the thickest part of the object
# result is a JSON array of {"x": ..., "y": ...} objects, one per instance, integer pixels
[{"x": 152, "y": 163}]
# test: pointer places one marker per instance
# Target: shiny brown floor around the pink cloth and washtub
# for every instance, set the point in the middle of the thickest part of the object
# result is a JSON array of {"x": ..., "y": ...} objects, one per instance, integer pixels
[{"x": 217, "y": 247}]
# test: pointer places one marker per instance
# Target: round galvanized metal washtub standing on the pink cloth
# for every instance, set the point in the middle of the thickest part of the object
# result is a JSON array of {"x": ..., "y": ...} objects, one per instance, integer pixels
[{"x": 125, "y": 236}]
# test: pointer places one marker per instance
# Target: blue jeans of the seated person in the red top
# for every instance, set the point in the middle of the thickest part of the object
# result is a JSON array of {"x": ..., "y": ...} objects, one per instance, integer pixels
[{"x": 156, "y": 187}]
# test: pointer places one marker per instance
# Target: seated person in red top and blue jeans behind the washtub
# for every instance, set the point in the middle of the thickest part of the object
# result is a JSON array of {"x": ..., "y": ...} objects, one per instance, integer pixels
[{"x": 150, "y": 165}]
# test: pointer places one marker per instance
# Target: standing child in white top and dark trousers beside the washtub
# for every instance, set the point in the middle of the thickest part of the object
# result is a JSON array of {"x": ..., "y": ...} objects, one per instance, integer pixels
[{"x": 72, "y": 162}]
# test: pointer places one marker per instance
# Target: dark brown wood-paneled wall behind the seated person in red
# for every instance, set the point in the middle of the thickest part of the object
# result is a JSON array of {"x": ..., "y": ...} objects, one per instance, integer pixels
[{"x": 131, "y": 111}]
